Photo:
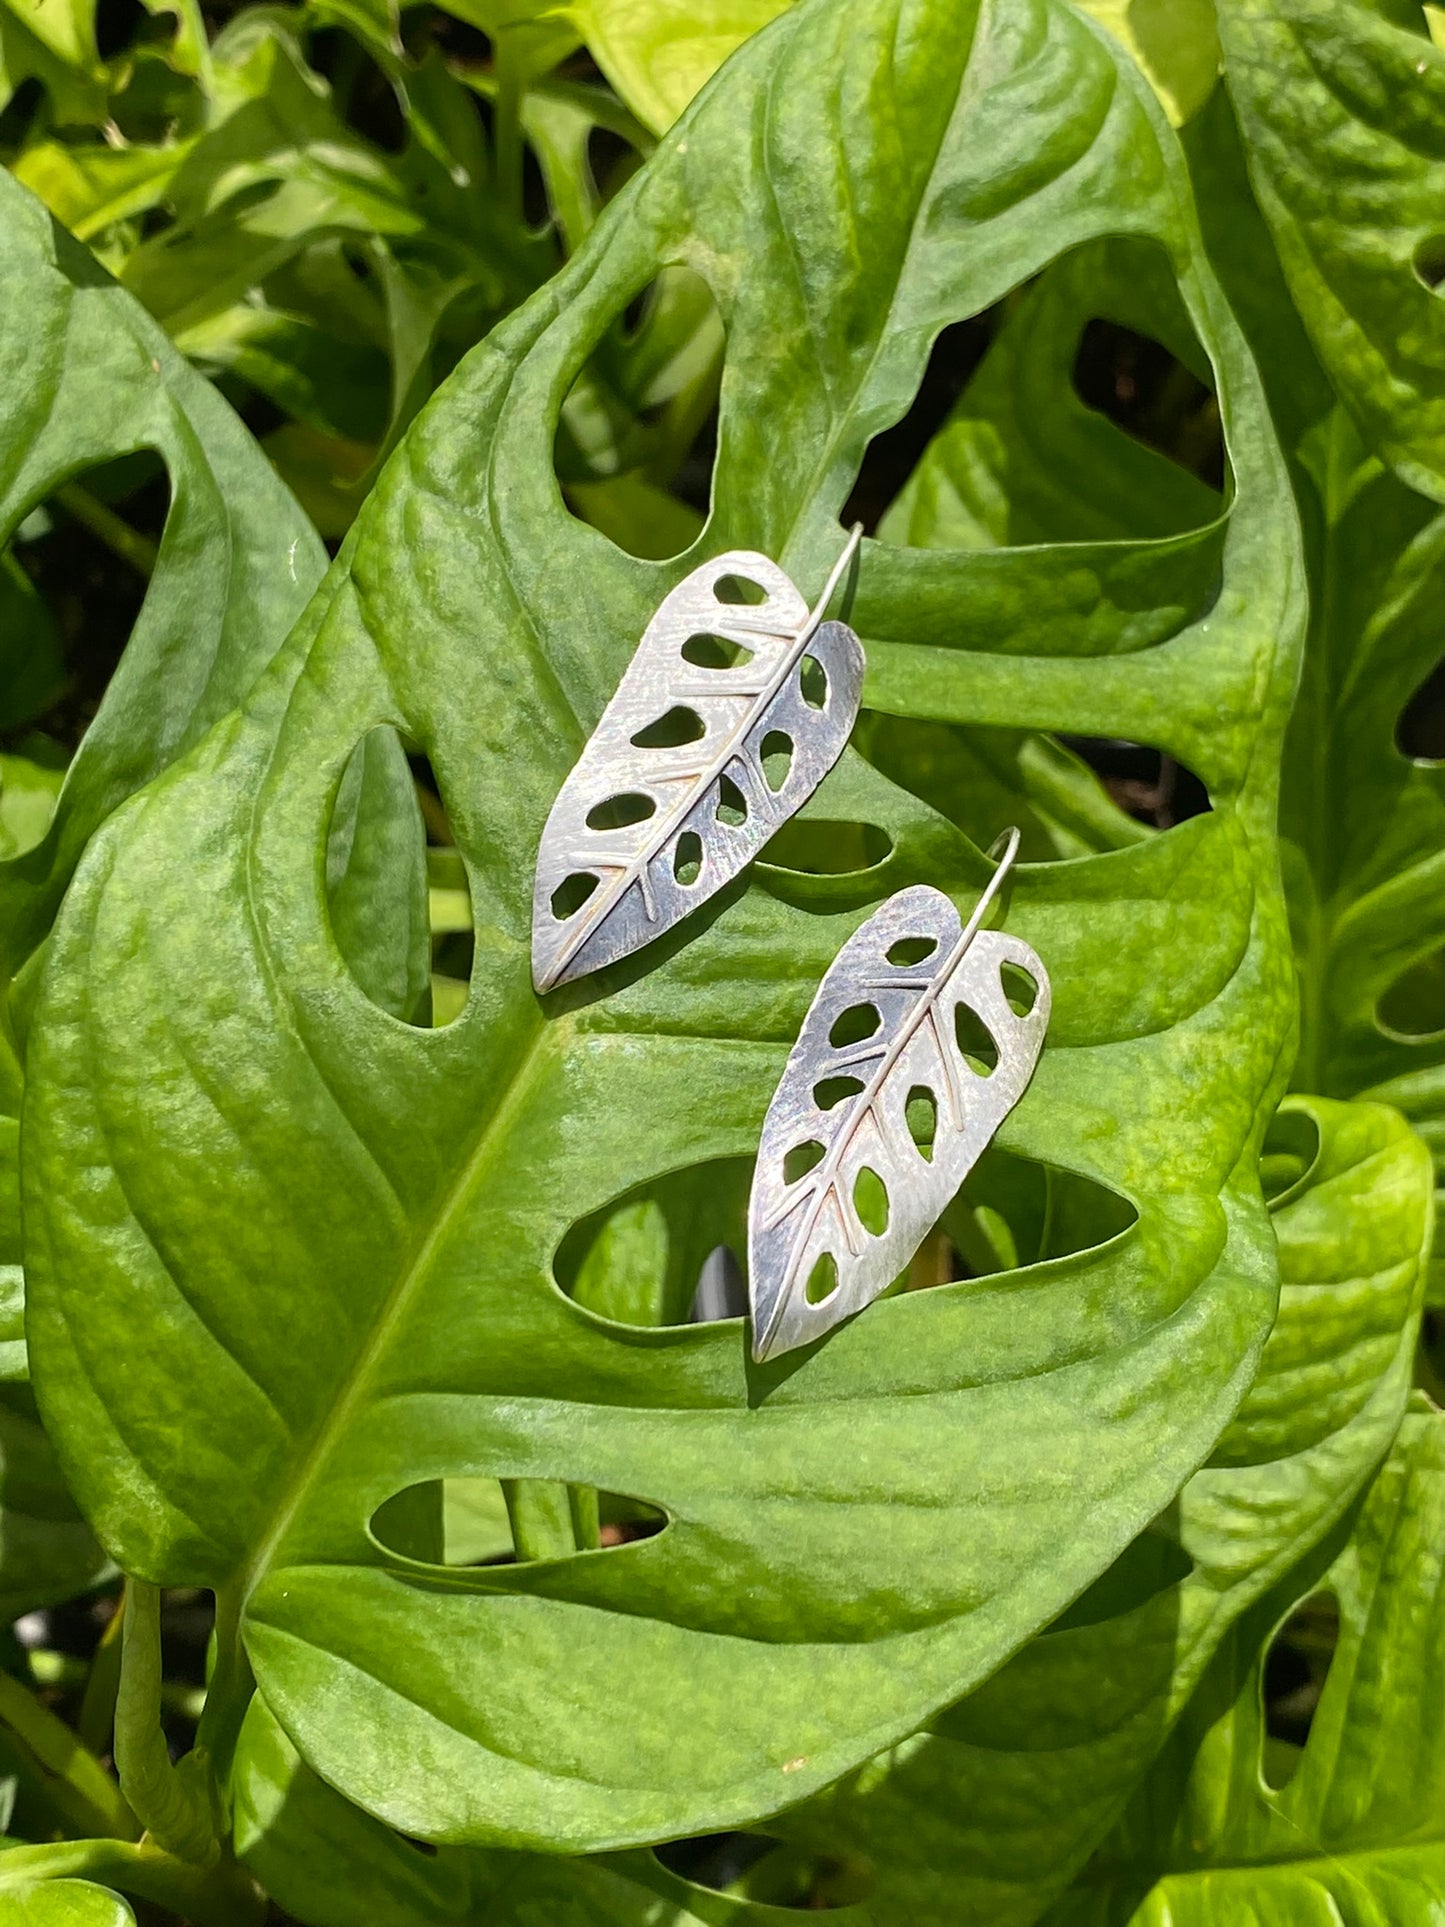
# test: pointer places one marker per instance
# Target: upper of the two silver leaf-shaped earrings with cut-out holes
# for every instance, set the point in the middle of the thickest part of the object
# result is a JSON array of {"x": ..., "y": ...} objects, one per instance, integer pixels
[{"x": 735, "y": 708}]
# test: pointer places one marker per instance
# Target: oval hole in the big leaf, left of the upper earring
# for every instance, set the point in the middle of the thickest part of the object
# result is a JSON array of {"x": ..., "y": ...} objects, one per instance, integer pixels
[{"x": 400, "y": 907}]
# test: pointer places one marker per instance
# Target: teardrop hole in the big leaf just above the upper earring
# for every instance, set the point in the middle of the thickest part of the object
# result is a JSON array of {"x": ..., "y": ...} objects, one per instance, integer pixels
[{"x": 637, "y": 435}]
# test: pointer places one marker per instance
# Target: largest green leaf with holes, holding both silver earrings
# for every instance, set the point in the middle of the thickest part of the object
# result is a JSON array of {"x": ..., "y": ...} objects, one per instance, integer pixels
[{"x": 315, "y": 1269}]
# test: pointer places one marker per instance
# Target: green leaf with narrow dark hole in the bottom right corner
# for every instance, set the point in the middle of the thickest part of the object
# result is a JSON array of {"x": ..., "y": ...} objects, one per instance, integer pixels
[{"x": 1355, "y": 1837}]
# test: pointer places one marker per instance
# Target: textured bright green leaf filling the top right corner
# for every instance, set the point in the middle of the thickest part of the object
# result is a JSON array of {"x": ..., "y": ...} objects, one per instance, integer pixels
[{"x": 1344, "y": 115}]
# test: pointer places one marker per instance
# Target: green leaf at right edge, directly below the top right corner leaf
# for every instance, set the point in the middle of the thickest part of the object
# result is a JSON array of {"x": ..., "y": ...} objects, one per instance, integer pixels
[{"x": 1365, "y": 822}]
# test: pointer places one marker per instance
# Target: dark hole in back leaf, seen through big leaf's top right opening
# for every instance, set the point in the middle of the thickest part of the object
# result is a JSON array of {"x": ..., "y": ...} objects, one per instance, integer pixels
[{"x": 1149, "y": 394}]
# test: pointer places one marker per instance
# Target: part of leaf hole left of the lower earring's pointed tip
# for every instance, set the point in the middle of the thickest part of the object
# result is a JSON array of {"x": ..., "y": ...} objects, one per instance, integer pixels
[{"x": 641, "y": 1257}]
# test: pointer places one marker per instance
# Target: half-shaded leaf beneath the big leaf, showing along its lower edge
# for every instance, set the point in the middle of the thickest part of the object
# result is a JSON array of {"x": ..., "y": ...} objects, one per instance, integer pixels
[{"x": 984, "y": 1820}]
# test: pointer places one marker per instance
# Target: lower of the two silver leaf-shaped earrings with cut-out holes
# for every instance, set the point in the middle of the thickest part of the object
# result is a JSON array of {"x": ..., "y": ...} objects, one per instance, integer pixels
[{"x": 920, "y": 1042}]
